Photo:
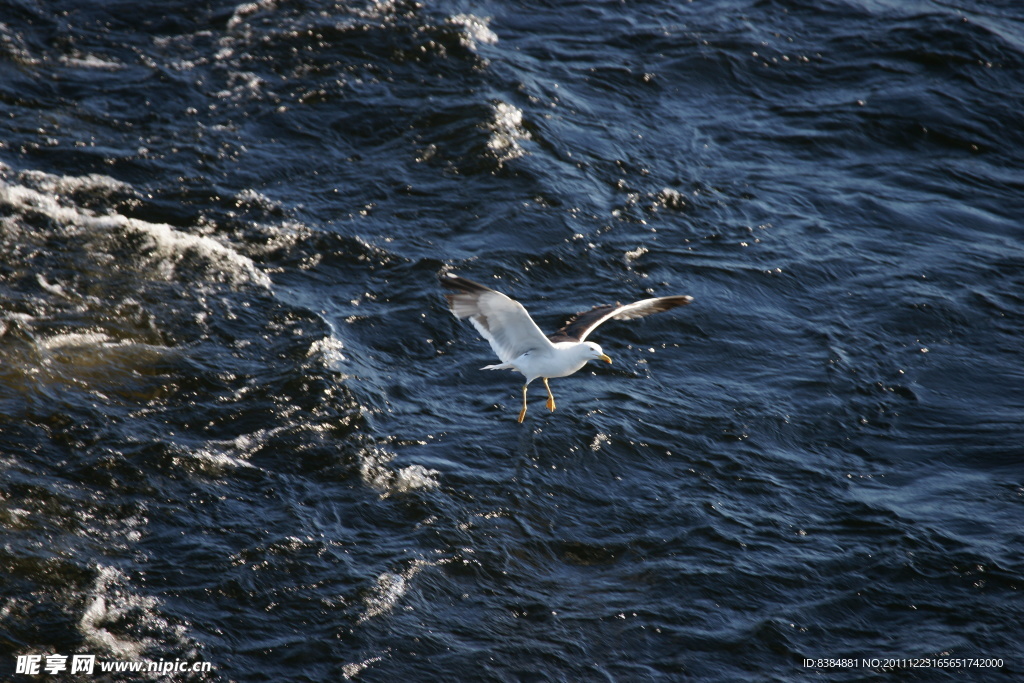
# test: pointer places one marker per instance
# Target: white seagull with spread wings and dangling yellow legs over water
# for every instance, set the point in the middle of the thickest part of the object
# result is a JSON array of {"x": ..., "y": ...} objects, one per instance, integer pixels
[{"x": 520, "y": 344}]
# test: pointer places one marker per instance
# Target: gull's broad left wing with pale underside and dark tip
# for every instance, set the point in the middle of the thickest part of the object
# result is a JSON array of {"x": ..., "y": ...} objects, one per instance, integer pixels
[{"x": 501, "y": 321}]
